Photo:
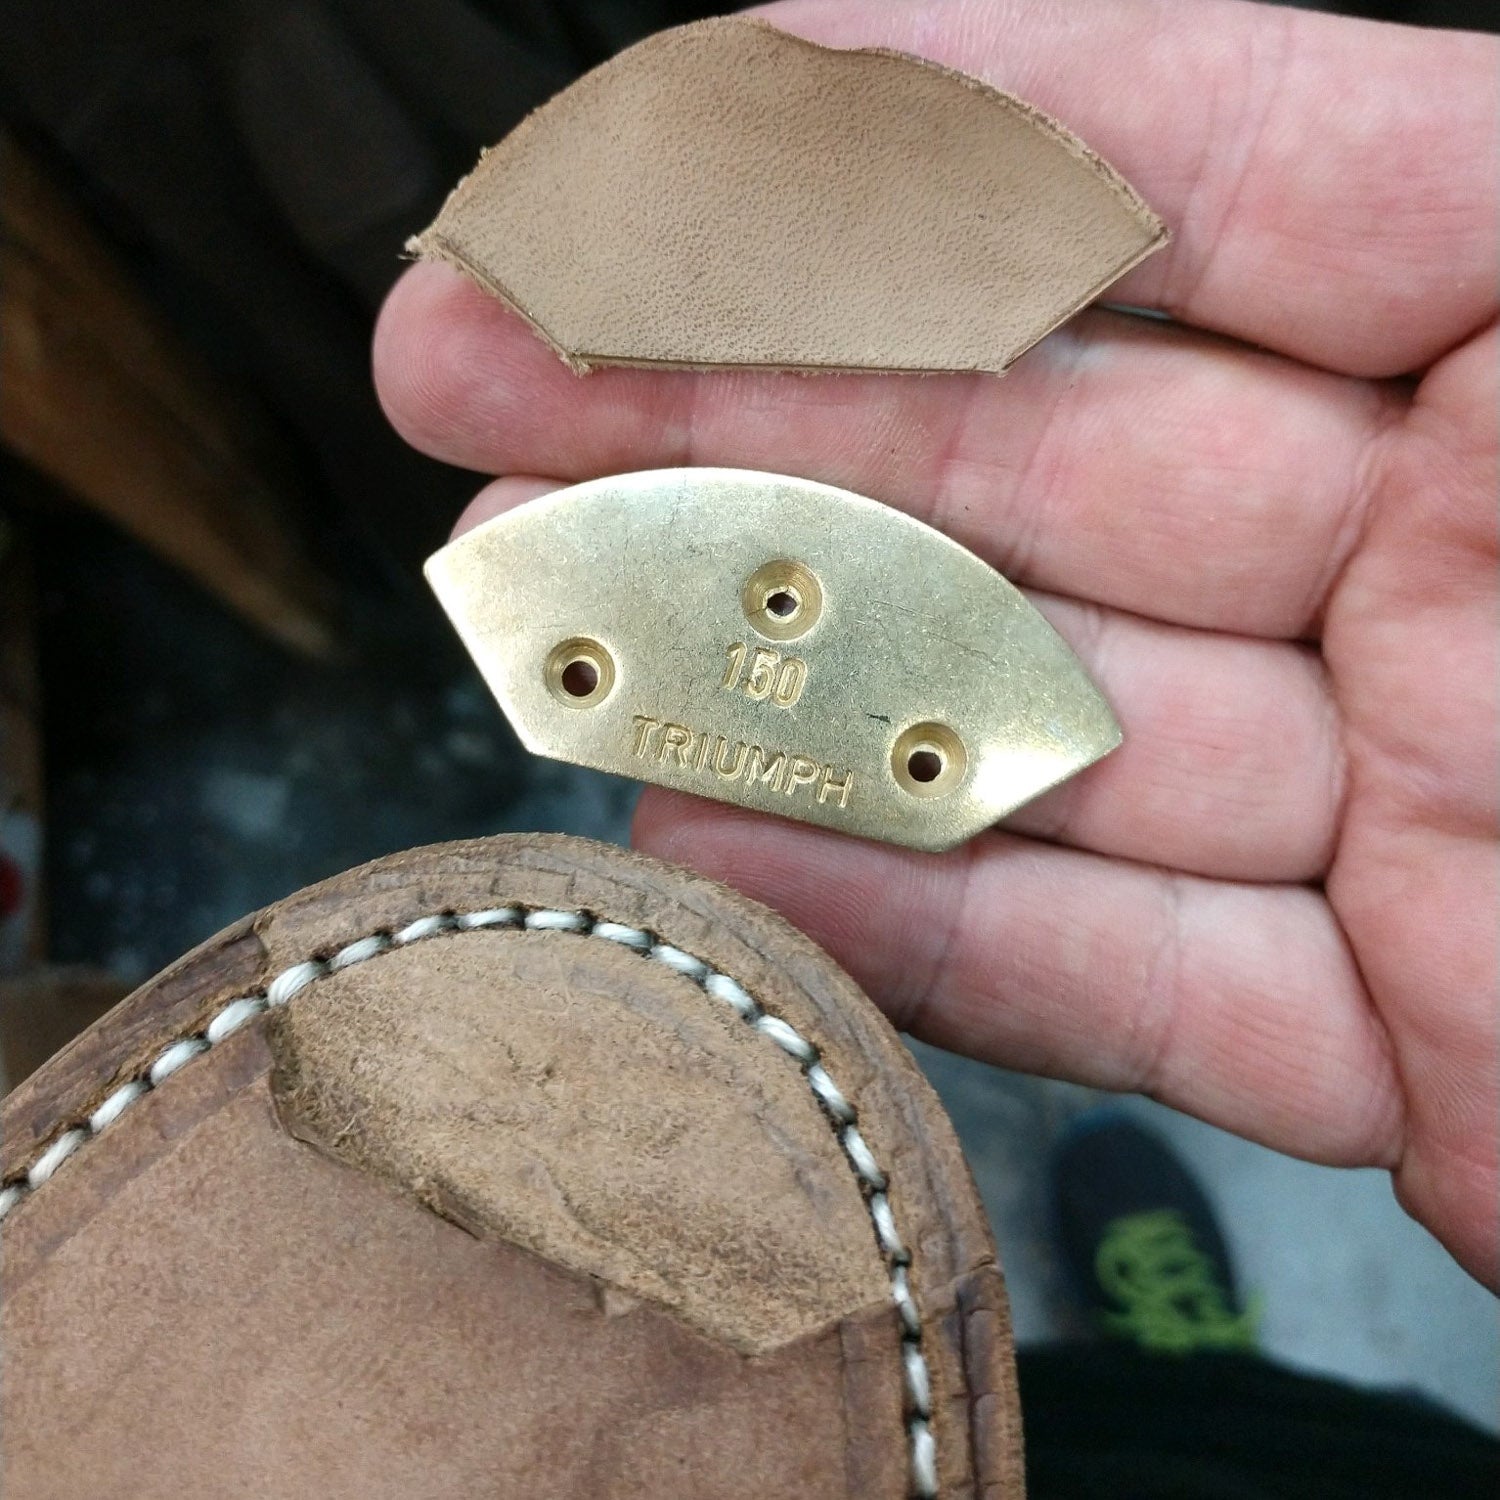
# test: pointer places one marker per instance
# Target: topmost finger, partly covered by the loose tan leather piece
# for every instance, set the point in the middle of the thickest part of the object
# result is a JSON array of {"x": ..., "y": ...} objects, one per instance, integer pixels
[{"x": 1333, "y": 185}]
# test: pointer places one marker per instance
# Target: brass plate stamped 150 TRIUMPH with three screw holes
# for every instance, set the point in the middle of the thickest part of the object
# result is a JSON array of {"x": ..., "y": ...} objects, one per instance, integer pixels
[{"x": 776, "y": 644}]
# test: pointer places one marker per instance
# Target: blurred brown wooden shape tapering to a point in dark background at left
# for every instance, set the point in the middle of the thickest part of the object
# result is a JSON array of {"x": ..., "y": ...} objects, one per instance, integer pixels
[{"x": 98, "y": 395}]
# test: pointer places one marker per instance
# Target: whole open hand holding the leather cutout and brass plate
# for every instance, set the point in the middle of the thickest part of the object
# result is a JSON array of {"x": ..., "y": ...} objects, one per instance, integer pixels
[{"x": 1274, "y": 905}]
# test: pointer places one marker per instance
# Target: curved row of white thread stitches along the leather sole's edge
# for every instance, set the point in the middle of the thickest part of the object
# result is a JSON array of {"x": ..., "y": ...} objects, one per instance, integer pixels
[{"x": 836, "y": 1108}]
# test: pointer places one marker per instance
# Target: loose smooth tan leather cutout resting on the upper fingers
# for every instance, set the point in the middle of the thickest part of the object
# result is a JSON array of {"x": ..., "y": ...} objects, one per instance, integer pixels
[{"x": 725, "y": 194}]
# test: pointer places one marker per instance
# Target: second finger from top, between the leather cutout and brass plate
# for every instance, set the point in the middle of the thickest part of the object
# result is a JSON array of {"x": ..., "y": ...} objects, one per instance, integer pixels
[{"x": 1130, "y": 463}]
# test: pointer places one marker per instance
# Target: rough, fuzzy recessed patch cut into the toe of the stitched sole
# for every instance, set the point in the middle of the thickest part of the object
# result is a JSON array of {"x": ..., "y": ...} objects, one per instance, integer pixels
[{"x": 593, "y": 1109}]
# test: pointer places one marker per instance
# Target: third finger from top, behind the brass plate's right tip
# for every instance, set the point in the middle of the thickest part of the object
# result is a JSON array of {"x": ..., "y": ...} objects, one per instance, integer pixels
[{"x": 1231, "y": 766}]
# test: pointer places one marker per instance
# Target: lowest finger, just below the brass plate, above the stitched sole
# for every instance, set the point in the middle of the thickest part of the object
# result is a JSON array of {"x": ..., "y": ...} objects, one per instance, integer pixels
[{"x": 1235, "y": 1003}]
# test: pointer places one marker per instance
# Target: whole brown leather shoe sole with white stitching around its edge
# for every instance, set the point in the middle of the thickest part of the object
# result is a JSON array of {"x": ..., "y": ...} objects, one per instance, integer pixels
[{"x": 514, "y": 1168}]
